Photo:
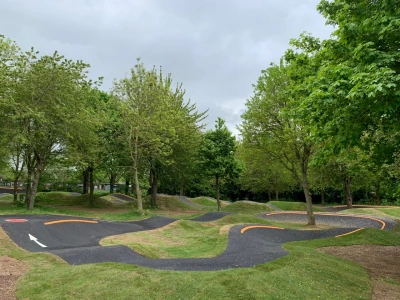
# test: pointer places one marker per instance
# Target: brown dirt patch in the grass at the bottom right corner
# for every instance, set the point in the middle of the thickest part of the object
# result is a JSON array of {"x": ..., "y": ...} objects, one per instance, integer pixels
[{"x": 381, "y": 262}]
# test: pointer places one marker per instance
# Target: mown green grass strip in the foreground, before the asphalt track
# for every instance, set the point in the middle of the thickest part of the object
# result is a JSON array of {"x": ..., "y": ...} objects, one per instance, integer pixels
[{"x": 304, "y": 274}]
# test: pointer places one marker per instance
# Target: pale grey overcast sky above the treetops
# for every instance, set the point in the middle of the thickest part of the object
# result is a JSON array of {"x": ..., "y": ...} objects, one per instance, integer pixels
[{"x": 217, "y": 48}]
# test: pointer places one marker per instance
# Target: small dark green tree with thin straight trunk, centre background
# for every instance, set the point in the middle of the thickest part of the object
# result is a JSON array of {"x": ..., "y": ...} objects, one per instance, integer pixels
[{"x": 218, "y": 154}]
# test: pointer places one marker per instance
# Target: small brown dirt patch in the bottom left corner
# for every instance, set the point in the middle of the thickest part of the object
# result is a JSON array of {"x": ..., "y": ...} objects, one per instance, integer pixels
[{"x": 10, "y": 270}]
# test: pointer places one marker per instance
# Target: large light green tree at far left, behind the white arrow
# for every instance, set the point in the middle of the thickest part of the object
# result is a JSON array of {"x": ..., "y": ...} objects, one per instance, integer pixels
[{"x": 39, "y": 103}]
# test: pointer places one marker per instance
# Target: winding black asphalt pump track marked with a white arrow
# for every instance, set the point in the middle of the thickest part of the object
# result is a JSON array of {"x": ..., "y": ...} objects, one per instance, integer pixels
[{"x": 77, "y": 241}]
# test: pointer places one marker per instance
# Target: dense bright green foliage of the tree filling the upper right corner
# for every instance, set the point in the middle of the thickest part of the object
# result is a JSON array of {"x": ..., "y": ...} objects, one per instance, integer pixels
[{"x": 356, "y": 92}]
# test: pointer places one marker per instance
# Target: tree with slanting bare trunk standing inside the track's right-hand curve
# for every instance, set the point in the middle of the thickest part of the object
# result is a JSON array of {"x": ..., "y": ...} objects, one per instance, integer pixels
[{"x": 270, "y": 123}]
